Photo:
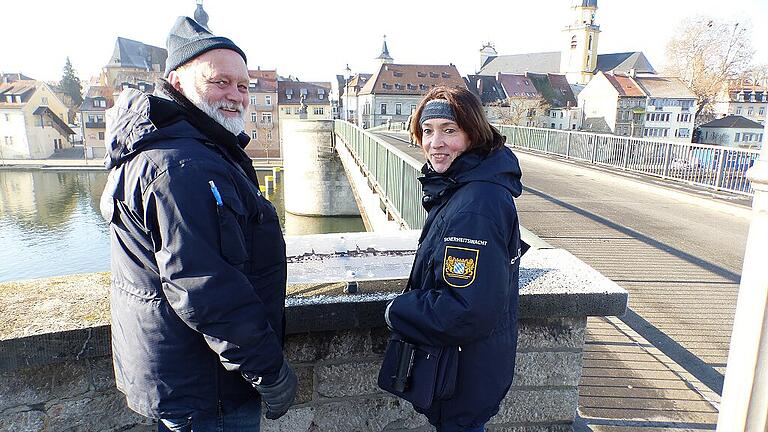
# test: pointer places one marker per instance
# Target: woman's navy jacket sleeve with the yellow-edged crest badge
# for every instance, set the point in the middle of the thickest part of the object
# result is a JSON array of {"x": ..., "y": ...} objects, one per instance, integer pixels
[{"x": 467, "y": 287}]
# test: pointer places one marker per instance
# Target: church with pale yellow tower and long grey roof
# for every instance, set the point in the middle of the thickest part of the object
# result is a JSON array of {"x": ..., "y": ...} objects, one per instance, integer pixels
[{"x": 577, "y": 57}]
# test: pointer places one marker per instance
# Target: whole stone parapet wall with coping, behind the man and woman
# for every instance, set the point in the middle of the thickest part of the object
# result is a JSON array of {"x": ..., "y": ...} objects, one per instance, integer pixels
[{"x": 56, "y": 371}]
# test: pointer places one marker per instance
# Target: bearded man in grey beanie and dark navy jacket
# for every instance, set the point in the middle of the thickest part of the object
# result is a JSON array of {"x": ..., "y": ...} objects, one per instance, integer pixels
[{"x": 198, "y": 256}]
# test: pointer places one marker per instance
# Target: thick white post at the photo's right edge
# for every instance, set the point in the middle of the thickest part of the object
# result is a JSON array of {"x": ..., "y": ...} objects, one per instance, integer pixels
[{"x": 745, "y": 392}]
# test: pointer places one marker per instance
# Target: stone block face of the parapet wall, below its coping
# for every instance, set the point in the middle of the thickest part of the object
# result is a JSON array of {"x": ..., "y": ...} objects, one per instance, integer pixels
[{"x": 337, "y": 392}]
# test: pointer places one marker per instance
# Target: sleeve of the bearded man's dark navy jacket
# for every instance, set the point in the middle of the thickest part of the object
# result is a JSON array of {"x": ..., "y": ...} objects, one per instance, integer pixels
[{"x": 210, "y": 294}]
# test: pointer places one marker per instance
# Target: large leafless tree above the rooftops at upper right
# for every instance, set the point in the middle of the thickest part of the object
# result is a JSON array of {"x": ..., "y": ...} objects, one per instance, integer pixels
[{"x": 705, "y": 53}]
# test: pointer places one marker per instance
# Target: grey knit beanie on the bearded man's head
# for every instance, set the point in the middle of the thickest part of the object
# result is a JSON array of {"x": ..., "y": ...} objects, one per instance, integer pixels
[{"x": 188, "y": 39}]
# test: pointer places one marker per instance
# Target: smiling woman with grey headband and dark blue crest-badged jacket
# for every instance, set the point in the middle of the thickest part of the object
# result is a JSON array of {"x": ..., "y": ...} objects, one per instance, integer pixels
[{"x": 463, "y": 289}]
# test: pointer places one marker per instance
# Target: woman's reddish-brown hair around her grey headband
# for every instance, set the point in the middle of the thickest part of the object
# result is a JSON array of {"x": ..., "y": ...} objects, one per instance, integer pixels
[{"x": 470, "y": 117}]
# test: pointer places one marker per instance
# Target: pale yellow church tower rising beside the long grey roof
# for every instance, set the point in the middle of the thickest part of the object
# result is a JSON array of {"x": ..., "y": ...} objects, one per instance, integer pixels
[{"x": 579, "y": 53}]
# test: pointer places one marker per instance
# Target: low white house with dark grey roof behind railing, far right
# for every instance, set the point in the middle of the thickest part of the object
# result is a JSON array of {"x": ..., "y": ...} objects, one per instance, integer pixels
[{"x": 732, "y": 131}]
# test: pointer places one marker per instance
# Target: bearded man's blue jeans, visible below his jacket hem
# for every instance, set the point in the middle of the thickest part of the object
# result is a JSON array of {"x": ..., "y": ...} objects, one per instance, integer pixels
[{"x": 245, "y": 418}]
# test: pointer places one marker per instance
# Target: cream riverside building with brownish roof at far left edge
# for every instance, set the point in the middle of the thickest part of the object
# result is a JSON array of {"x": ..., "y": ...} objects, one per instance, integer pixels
[{"x": 32, "y": 119}]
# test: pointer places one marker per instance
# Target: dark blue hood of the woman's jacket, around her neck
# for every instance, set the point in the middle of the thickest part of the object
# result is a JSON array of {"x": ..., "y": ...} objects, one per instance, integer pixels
[{"x": 500, "y": 166}]
